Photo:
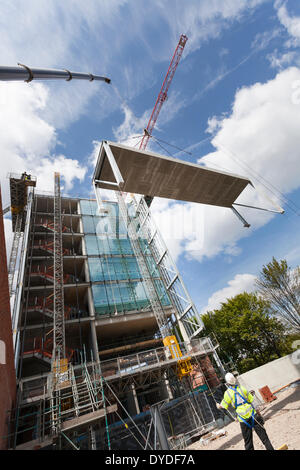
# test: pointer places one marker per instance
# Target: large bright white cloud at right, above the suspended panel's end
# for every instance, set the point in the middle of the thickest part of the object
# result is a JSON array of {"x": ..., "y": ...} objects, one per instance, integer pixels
[{"x": 262, "y": 132}]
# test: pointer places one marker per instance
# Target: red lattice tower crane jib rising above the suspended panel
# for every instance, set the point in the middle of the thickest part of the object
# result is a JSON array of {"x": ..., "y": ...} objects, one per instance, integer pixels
[{"x": 163, "y": 94}]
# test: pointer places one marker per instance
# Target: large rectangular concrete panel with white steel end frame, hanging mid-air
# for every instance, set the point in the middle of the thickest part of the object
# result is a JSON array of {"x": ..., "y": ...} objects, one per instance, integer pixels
[{"x": 151, "y": 174}]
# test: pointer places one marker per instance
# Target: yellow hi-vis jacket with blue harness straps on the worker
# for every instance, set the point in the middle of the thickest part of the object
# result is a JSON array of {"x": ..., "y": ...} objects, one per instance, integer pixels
[{"x": 241, "y": 401}]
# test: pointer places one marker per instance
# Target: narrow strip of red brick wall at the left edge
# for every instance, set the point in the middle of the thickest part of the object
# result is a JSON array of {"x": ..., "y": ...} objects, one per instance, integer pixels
[{"x": 7, "y": 370}]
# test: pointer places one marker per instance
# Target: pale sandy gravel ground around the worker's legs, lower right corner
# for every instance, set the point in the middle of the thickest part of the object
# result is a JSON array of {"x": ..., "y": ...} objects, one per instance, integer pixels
[{"x": 282, "y": 423}]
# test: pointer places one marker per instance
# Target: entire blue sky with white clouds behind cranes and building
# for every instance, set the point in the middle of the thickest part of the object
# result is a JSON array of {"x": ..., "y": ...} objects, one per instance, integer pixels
[{"x": 234, "y": 104}]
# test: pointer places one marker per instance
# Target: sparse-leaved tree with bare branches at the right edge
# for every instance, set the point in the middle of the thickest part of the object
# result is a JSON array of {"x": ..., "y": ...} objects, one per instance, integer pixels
[{"x": 280, "y": 285}]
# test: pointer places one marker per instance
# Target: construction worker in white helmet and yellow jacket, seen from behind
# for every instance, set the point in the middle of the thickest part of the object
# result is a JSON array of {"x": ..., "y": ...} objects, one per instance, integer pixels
[{"x": 249, "y": 418}]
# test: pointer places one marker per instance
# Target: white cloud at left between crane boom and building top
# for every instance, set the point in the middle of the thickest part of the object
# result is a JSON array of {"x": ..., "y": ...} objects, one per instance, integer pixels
[{"x": 28, "y": 142}]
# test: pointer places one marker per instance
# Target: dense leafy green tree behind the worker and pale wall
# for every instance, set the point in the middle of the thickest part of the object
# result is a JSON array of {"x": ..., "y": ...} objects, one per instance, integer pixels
[{"x": 247, "y": 331}]
